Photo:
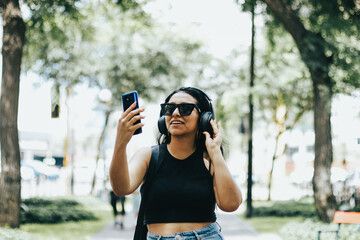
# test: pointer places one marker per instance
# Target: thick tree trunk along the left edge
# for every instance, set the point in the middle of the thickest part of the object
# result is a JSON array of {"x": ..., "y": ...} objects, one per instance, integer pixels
[{"x": 10, "y": 179}]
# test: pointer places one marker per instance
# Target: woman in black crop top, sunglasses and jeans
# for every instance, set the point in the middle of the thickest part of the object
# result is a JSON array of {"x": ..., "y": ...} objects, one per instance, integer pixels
[{"x": 193, "y": 176}]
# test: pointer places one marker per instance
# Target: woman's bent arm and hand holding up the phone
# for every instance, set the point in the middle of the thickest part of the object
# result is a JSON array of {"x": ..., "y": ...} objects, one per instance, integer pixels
[{"x": 126, "y": 177}]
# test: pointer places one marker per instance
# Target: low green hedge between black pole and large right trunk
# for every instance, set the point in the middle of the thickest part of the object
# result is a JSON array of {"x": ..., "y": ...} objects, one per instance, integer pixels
[{"x": 284, "y": 209}]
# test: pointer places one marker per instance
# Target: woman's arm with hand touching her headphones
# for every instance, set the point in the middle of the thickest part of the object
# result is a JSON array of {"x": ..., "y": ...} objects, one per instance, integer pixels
[{"x": 227, "y": 193}]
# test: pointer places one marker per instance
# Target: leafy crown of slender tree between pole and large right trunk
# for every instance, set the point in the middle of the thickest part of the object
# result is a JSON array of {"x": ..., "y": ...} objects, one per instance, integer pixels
[{"x": 283, "y": 79}]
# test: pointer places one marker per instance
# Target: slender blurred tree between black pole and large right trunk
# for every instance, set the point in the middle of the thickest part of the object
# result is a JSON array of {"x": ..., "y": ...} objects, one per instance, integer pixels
[{"x": 283, "y": 96}]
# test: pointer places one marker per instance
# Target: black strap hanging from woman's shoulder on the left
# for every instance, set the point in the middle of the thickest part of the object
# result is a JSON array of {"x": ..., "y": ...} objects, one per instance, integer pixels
[{"x": 155, "y": 162}]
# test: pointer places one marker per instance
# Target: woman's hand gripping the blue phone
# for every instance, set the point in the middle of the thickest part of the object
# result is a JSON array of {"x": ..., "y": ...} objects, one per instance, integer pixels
[{"x": 126, "y": 127}]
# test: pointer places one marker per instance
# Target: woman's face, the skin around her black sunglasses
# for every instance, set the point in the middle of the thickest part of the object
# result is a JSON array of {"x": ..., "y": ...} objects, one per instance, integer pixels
[{"x": 182, "y": 125}]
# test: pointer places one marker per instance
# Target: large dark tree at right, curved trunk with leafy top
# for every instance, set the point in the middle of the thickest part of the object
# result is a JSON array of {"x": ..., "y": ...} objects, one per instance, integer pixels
[{"x": 313, "y": 26}]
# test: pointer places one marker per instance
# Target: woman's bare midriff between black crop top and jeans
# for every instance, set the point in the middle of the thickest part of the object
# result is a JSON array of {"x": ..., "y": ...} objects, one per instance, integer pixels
[{"x": 171, "y": 228}]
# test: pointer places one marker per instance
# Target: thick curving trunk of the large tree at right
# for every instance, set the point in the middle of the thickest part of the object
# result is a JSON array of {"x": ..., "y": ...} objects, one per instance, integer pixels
[{"x": 311, "y": 48}]
